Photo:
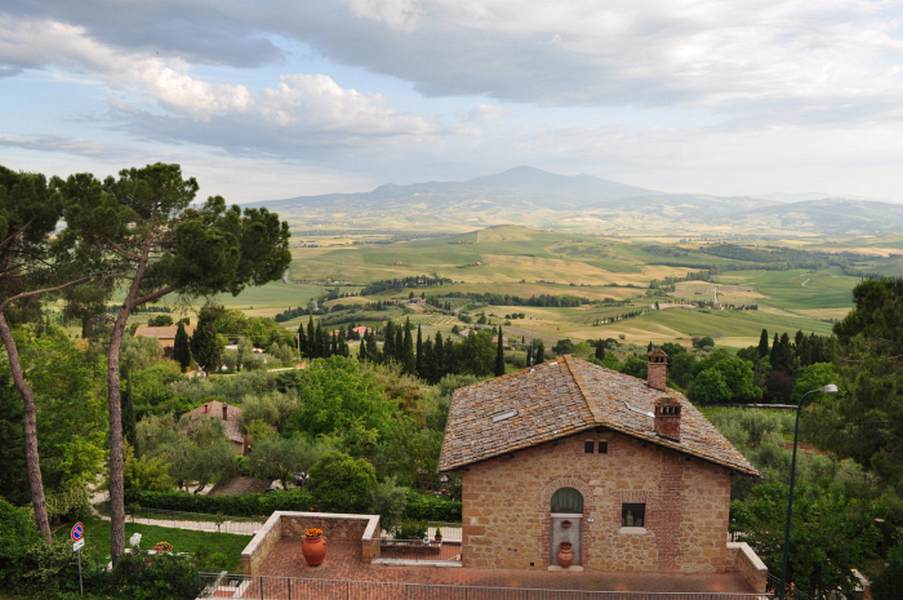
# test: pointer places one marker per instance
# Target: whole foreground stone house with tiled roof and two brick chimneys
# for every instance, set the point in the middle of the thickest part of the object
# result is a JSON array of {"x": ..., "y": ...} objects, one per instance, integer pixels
[{"x": 628, "y": 471}]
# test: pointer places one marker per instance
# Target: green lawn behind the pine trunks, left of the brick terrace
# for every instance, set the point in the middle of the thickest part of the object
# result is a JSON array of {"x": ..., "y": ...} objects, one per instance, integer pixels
[{"x": 97, "y": 540}]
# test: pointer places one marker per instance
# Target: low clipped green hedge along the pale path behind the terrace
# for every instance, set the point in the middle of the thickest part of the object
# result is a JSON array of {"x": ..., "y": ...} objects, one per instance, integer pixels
[{"x": 421, "y": 507}]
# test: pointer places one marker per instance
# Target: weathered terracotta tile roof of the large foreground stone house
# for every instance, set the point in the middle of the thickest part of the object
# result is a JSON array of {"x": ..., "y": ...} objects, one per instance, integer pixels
[{"x": 558, "y": 398}]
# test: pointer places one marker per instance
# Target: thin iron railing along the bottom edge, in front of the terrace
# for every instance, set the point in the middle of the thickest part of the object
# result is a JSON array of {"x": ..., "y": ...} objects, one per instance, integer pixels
[{"x": 224, "y": 585}]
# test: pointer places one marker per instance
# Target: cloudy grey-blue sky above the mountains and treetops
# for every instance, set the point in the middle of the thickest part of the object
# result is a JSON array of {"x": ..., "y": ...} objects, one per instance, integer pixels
[{"x": 267, "y": 99}]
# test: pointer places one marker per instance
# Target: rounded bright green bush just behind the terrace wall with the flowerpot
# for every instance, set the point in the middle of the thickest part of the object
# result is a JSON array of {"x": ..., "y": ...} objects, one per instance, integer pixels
[{"x": 342, "y": 482}]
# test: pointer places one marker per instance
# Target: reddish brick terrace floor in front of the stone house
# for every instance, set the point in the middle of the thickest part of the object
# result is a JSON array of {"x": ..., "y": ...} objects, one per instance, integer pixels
[{"x": 343, "y": 562}]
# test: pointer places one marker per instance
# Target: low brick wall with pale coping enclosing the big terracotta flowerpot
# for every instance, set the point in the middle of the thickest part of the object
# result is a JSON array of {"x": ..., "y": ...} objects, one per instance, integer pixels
[{"x": 339, "y": 527}]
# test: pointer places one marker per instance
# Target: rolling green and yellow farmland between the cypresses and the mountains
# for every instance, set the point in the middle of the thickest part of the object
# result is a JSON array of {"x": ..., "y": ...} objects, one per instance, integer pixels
[{"x": 639, "y": 290}]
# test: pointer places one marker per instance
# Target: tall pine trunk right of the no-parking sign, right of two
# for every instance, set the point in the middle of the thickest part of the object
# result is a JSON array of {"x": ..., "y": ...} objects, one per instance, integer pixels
[{"x": 114, "y": 405}]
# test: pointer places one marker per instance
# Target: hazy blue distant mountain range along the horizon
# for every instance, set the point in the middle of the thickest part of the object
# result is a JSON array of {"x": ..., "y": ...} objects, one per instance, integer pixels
[{"x": 530, "y": 196}]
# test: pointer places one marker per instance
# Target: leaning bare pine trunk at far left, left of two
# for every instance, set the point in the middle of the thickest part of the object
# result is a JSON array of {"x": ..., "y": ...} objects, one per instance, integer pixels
[{"x": 32, "y": 458}]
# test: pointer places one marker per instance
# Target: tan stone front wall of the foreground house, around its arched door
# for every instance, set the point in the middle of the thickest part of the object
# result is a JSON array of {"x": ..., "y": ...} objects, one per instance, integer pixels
[{"x": 507, "y": 501}]
